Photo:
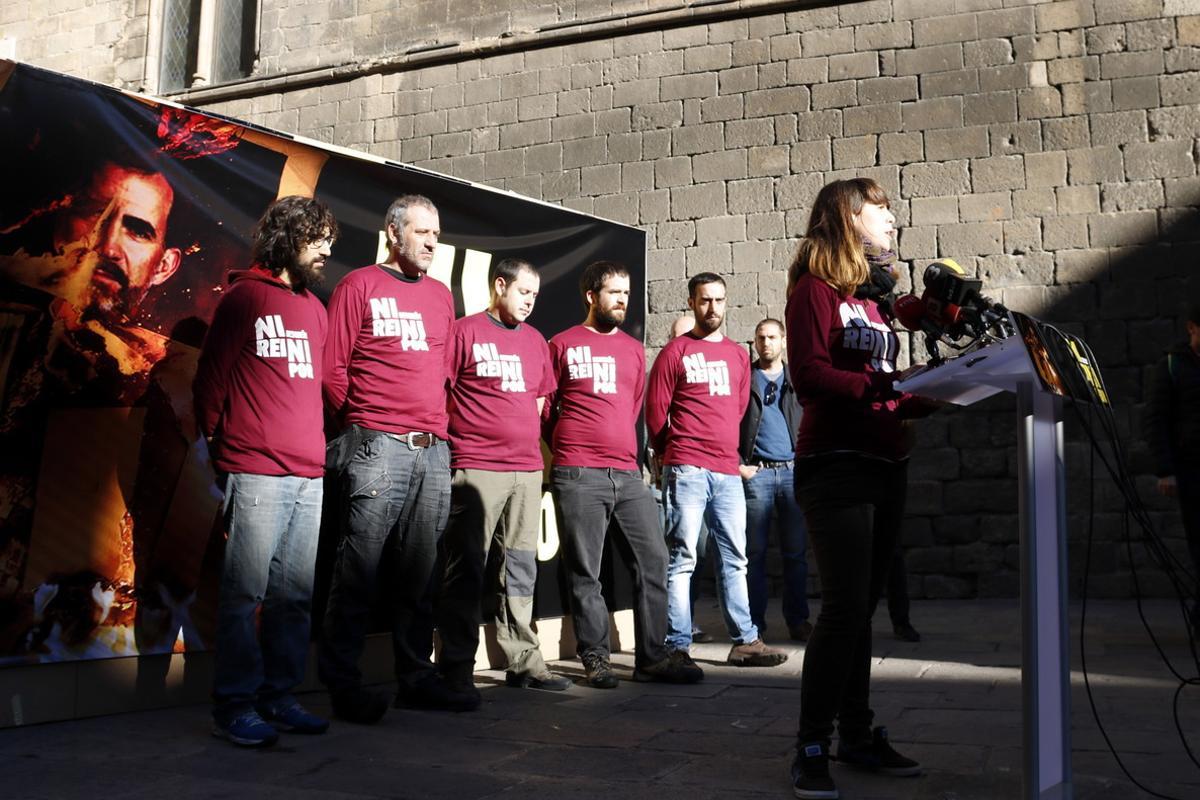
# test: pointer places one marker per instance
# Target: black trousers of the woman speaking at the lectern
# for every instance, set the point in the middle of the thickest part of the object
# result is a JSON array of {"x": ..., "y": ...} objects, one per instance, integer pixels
[{"x": 854, "y": 507}]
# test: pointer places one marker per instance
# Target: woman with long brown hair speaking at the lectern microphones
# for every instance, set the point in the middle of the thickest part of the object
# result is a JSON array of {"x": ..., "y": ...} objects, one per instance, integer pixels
[{"x": 851, "y": 468}]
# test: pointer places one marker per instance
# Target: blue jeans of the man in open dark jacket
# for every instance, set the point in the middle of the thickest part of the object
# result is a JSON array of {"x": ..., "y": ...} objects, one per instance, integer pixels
[{"x": 771, "y": 494}]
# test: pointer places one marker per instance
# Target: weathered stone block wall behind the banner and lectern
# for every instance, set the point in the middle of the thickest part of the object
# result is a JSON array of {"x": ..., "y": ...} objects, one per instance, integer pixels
[{"x": 1048, "y": 147}]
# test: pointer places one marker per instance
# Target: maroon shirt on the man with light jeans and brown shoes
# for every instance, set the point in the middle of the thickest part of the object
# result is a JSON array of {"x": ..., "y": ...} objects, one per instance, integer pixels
[{"x": 694, "y": 405}]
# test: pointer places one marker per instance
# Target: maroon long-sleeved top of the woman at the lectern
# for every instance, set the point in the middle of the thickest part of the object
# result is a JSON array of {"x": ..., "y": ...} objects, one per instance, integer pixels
[{"x": 842, "y": 357}]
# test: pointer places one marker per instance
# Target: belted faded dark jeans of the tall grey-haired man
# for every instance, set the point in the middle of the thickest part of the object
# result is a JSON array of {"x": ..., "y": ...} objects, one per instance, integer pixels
[{"x": 397, "y": 504}]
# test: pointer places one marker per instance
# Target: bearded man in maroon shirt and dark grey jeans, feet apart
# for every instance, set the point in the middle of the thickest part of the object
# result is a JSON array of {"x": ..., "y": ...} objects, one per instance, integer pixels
[{"x": 602, "y": 383}]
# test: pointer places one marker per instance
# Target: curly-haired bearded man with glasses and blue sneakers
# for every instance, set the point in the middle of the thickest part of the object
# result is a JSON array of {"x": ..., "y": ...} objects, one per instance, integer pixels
[{"x": 259, "y": 402}]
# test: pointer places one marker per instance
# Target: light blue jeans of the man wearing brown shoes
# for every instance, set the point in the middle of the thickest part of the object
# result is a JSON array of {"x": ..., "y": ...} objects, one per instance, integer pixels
[{"x": 694, "y": 496}]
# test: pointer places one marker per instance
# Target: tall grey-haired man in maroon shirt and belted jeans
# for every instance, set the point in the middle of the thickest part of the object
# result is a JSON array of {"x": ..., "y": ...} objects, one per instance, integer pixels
[{"x": 389, "y": 328}]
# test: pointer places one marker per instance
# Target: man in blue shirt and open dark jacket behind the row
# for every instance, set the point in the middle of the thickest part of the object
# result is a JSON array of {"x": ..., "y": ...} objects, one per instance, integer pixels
[{"x": 767, "y": 448}]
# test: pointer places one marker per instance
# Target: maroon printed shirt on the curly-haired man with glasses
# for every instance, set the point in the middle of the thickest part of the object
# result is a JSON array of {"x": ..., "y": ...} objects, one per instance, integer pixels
[{"x": 257, "y": 388}]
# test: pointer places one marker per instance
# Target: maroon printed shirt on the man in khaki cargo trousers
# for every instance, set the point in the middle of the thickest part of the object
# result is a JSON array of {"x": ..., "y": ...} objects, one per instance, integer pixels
[{"x": 497, "y": 374}]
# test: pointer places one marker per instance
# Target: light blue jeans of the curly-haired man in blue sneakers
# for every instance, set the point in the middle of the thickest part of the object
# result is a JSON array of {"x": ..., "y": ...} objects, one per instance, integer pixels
[{"x": 273, "y": 525}]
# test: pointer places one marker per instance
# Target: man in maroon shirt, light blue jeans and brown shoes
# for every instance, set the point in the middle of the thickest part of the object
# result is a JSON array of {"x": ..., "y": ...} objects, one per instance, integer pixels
[{"x": 698, "y": 393}]
